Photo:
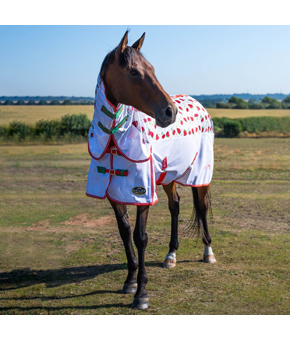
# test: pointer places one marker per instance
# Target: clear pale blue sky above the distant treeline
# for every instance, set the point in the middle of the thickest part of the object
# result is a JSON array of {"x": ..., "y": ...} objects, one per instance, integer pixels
[{"x": 65, "y": 60}]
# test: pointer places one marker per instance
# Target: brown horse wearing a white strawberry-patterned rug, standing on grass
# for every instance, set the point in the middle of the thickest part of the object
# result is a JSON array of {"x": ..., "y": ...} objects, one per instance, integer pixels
[{"x": 128, "y": 97}]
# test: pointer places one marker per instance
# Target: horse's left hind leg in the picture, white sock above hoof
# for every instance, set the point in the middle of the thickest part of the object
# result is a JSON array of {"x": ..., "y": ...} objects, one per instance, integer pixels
[{"x": 173, "y": 204}]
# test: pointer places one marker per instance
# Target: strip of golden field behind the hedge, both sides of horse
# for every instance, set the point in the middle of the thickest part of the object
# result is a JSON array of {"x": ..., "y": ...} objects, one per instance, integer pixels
[{"x": 31, "y": 114}]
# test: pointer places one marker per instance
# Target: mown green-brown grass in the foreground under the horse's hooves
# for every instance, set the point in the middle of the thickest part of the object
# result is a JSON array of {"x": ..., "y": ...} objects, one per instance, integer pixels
[{"x": 61, "y": 252}]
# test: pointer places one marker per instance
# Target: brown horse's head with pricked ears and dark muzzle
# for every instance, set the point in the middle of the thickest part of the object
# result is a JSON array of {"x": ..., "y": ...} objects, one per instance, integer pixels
[{"x": 130, "y": 79}]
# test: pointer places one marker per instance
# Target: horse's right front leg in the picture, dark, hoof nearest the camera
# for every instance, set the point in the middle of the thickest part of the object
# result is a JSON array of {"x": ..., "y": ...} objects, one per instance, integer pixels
[{"x": 141, "y": 300}]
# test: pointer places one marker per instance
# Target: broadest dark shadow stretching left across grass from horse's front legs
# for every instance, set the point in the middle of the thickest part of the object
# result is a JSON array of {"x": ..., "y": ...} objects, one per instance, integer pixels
[{"x": 20, "y": 278}]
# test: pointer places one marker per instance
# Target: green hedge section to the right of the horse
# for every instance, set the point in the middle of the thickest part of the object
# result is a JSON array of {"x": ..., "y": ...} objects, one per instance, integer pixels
[{"x": 226, "y": 127}]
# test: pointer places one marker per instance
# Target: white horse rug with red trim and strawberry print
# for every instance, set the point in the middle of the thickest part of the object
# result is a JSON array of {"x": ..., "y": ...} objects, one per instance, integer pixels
[{"x": 144, "y": 154}]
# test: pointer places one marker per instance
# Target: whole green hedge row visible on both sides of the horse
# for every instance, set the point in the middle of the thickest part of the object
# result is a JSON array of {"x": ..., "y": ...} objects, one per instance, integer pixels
[{"x": 75, "y": 128}]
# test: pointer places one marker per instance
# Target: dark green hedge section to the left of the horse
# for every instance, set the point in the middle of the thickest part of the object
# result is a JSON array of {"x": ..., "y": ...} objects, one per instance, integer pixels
[{"x": 69, "y": 127}]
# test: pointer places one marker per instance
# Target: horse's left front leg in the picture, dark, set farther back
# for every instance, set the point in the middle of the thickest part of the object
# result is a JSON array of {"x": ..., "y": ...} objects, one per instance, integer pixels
[{"x": 130, "y": 285}]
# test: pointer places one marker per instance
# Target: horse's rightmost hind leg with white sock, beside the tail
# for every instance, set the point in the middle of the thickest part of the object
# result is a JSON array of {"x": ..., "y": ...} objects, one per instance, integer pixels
[{"x": 201, "y": 203}]
